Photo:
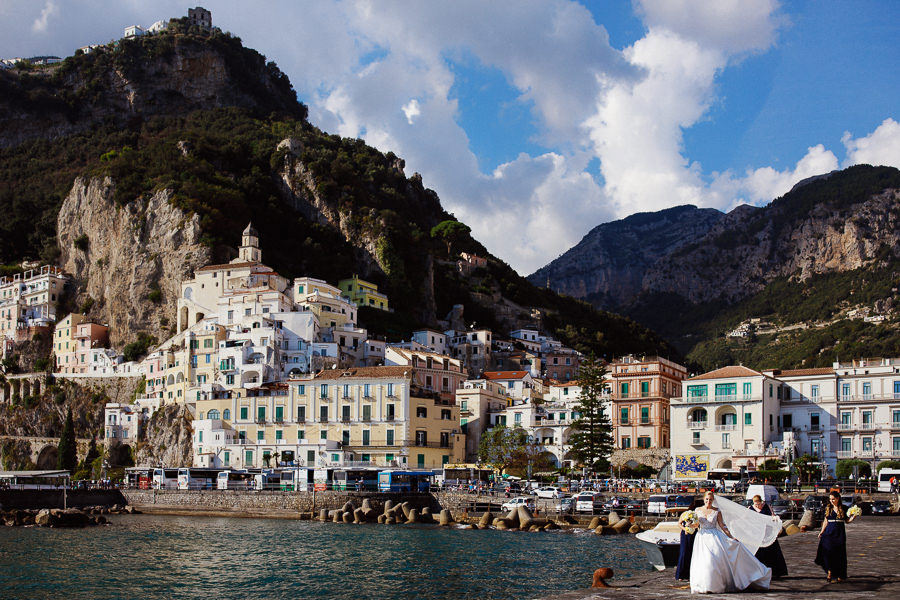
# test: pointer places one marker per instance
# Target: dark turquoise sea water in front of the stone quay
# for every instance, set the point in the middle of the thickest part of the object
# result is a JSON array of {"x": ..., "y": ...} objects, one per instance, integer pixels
[{"x": 144, "y": 556}]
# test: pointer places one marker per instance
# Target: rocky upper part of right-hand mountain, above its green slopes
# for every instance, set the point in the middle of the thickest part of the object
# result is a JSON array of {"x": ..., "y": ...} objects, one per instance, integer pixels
[{"x": 844, "y": 222}]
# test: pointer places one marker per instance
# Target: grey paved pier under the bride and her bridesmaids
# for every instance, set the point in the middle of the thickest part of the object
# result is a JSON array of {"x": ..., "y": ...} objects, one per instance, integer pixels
[{"x": 873, "y": 568}]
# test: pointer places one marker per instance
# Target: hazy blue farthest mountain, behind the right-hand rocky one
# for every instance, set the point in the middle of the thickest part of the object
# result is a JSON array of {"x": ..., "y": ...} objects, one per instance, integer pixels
[{"x": 608, "y": 265}]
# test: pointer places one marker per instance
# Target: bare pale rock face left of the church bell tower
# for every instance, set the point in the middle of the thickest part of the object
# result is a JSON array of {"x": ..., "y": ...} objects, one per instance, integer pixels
[{"x": 129, "y": 260}]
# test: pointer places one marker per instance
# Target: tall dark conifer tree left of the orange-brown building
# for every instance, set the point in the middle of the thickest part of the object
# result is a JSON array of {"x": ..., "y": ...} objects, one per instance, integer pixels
[{"x": 592, "y": 441}]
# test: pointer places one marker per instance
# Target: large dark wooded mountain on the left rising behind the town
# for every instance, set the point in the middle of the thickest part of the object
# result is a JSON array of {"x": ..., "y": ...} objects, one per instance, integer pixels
[{"x": 143, "y": 160}]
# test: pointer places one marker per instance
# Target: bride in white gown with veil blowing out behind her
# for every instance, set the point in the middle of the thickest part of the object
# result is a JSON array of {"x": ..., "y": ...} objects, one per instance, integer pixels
[{"x": 722, "y": 563}]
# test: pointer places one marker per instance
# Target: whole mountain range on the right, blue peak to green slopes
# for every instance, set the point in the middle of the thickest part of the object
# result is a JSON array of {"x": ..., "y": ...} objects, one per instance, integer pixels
[{"x": 811, "y": 264}]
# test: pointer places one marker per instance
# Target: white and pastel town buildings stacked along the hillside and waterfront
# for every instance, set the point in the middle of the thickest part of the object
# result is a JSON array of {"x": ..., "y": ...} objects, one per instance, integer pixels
[{"x": 278, "y": 372}]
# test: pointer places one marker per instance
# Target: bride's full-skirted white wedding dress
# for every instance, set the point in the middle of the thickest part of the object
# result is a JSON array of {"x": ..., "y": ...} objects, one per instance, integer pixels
[{"x": 721, "y": 564}]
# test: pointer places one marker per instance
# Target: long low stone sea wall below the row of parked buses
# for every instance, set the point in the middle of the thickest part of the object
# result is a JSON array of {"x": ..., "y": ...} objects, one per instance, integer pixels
[{"x": 262, "y": 503}]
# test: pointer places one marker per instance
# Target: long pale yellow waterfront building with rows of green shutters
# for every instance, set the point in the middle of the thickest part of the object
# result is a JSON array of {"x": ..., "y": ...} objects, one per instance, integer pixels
[{"x": 353, "y": 417}]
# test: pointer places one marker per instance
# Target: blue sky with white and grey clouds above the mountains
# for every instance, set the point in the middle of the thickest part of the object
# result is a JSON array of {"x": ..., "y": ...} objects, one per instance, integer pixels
[{"x": 535, "y": 121}]
